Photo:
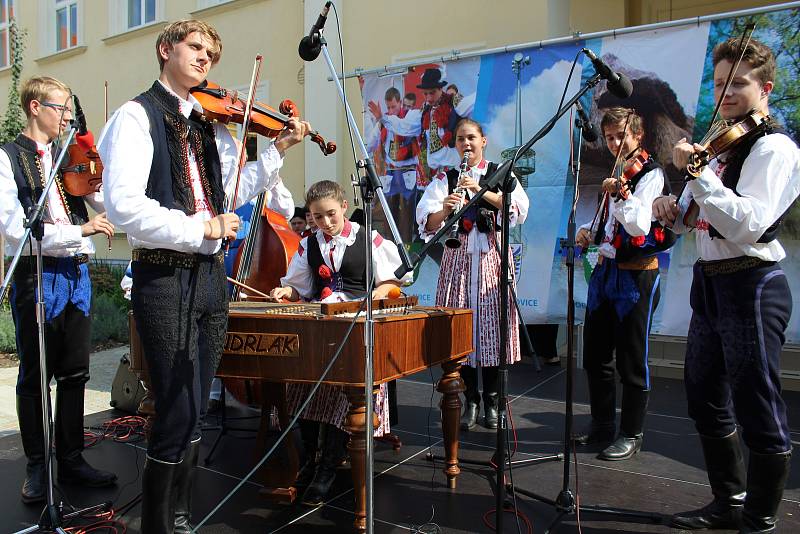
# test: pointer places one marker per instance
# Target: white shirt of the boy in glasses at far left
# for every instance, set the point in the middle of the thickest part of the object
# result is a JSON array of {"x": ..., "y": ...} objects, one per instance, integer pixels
[{"x": 61, "y": 237}]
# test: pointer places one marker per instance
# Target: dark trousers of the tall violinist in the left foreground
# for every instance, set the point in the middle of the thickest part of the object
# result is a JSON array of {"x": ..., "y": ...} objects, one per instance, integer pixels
[{"x": 181, "y": 317}]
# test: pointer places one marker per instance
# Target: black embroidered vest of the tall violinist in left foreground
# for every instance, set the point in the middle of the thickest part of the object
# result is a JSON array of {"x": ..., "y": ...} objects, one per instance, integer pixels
[{"x": 172, "y": 133}]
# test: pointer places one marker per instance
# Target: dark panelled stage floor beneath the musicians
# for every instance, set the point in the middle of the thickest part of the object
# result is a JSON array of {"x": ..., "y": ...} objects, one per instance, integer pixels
[{"x": 667, "y": 476}]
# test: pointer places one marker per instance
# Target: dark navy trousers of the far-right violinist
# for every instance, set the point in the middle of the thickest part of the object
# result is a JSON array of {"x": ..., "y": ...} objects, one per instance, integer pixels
[{"x": 733, "y": 355}]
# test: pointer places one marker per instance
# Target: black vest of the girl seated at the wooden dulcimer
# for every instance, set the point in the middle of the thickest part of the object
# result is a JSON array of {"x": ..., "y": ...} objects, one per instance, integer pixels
[{"x": 352, "y": 274}]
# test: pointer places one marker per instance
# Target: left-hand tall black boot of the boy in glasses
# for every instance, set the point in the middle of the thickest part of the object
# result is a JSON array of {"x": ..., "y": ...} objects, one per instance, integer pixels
[{"x": 29, "y": 413}]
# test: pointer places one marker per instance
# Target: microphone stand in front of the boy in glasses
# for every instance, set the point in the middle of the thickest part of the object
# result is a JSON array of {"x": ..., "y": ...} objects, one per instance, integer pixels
[{"x": 52, "y": 518}]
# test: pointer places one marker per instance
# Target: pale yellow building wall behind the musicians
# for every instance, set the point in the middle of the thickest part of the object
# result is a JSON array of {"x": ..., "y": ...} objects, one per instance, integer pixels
[{"x": 375, "y": 33}]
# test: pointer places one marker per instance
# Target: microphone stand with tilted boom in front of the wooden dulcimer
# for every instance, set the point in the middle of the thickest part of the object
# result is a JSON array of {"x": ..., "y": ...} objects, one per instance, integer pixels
[{"x": 370, "y": 188}]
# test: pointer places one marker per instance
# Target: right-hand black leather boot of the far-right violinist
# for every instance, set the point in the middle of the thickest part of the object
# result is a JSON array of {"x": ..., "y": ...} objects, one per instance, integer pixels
[{"x": 766, "y": 477}]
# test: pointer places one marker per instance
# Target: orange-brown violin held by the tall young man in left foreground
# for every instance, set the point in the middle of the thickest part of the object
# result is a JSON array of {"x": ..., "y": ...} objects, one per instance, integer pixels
[{"x": 226, "y": 106}]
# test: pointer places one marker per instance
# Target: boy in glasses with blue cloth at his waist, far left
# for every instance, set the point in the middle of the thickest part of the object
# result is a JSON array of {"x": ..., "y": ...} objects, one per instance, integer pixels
[{"x": 25, "y": 165}]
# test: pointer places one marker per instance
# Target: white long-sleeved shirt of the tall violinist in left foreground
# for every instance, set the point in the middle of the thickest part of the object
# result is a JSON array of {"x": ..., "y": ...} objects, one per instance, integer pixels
[{"x": 126, "y": 149}]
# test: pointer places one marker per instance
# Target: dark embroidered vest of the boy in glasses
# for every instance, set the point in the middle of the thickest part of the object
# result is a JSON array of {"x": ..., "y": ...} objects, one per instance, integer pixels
[{"x": 30, "y": 179}]
